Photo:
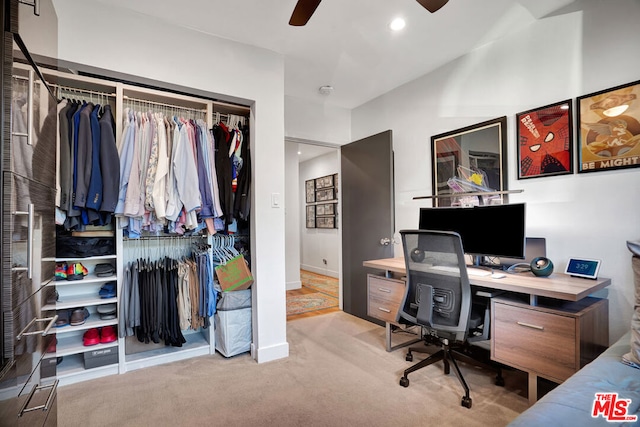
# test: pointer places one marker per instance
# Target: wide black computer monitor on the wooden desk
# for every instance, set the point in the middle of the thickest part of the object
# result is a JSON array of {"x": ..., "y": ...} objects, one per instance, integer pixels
[{"x": 486, "y": 231}]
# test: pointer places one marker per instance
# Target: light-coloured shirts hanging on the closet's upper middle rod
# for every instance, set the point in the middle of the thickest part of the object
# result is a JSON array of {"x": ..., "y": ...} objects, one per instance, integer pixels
[{"x": 167, "y": 182}]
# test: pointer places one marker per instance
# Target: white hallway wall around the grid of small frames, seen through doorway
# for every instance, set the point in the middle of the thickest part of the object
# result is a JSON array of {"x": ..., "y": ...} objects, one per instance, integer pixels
[{"x": 318, "y": 244}]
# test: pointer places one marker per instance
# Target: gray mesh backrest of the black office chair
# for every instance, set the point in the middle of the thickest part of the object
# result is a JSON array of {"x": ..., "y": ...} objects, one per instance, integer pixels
[{"x": 438, "y": 293}]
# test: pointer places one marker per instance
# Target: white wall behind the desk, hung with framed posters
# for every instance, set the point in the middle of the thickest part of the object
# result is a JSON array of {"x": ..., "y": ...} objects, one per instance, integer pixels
[{"x": 587, "y": 215}]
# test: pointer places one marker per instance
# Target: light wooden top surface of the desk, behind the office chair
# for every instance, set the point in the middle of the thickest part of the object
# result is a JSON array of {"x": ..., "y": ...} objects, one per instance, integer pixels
[{"x": 558, "y": 285}]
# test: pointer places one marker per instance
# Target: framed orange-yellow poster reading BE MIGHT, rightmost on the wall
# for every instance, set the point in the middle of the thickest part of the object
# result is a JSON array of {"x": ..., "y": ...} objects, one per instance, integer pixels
[{"x": 609, "y": 134}]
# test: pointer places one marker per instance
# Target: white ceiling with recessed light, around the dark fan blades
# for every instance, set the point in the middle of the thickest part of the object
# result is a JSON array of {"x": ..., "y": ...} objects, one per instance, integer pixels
[{"x": 347, "y": 43}]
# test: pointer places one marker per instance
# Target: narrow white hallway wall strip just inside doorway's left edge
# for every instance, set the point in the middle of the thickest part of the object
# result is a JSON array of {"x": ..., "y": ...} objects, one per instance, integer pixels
[{"x": 292, "y": 216}]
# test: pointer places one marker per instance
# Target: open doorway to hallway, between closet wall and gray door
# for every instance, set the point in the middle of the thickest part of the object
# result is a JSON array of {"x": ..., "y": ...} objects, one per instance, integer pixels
[{"x": 313, "y": 254}]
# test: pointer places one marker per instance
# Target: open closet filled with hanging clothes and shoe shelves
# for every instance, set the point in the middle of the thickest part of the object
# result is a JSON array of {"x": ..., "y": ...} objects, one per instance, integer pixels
[{"x": 152, "y": 279}]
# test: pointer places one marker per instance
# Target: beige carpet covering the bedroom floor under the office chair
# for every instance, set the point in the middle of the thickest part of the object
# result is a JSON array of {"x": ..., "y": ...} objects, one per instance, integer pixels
[{"x": 337, "y": 374}]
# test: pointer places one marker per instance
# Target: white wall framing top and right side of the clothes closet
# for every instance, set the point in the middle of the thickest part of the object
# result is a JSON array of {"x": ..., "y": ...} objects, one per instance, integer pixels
[{"x": 141, "y": 46}]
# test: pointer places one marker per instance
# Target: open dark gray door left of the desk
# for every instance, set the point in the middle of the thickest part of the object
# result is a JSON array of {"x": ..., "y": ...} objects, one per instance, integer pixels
[{"x": 367, "y": 214}]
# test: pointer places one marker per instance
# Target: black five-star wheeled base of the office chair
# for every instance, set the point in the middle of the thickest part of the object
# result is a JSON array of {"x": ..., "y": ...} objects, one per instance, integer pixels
[{"x": 446, "y": 355}]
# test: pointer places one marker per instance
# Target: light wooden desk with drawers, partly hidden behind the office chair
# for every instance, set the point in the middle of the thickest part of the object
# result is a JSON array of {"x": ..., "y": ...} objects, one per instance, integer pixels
[{"x": 546, "y": 326}]
